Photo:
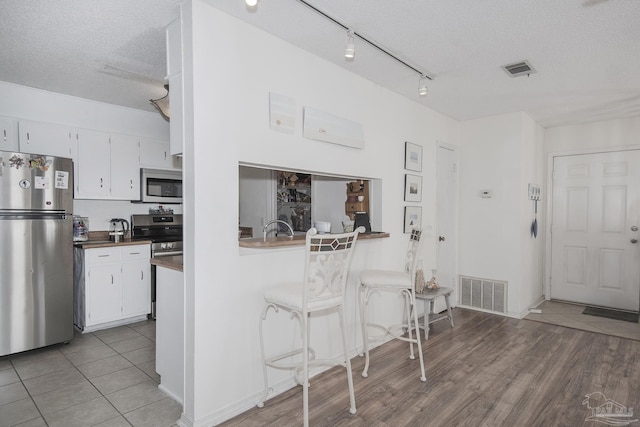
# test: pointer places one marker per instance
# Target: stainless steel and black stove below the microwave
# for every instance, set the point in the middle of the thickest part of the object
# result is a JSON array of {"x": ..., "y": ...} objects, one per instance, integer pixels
[{"x": 165, "y": 233}]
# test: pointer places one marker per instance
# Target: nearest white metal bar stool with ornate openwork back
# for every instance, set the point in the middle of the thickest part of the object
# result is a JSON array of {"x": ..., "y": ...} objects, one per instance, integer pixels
[{"x": 327, "y": 261}]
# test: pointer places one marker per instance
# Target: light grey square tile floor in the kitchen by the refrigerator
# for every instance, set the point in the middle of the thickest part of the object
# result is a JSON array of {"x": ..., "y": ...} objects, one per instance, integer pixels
[{"x": 106, "y": 378}]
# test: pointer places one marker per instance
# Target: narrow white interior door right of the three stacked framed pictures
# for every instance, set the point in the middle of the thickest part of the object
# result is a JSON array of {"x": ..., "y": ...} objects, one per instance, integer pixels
[{"x": 446, "y": 205}]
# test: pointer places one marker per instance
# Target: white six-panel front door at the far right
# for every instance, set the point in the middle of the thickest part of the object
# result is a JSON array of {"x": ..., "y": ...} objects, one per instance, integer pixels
[{"x": 595, "y": 257}]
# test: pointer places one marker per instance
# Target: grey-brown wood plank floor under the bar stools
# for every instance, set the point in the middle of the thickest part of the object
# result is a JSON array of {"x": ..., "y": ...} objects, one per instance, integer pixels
[{"x": 487, "y": 371}]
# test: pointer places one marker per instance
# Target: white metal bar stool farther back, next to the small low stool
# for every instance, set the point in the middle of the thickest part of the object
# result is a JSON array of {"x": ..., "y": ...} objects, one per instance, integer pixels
[{"x": 403, "y": 282}]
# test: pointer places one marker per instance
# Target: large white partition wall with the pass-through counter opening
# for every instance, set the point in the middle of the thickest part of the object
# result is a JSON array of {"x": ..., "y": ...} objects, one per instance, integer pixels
[{"x": 229, "y": 99}]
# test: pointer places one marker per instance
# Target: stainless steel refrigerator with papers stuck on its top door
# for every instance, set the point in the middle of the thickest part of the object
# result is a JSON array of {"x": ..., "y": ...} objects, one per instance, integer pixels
[{"x": 36, "y": 251}]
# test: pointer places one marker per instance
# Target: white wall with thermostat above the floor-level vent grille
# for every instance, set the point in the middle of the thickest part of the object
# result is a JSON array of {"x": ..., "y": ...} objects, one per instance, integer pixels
[{"x": 501, "y": 154}]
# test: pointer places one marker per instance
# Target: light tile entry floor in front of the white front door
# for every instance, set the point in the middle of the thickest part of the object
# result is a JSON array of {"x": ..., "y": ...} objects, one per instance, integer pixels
[{"x": 570, "y": 315}]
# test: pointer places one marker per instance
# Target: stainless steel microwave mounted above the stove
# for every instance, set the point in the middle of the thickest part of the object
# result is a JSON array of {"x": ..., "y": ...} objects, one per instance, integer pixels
[{"x": 160, "y": 186}]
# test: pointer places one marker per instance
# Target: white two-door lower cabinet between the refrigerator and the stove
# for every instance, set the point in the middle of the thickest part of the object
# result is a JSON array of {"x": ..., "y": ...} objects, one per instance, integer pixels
[{"x": 111, "y": 286}]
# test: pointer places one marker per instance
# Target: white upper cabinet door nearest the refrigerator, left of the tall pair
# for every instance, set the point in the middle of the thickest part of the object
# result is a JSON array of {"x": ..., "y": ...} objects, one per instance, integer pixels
[{"x": 93, "y": 172}]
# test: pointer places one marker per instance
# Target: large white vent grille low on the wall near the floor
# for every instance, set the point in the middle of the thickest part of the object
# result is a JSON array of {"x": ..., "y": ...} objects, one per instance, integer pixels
[{"x": 484, "y": 294}]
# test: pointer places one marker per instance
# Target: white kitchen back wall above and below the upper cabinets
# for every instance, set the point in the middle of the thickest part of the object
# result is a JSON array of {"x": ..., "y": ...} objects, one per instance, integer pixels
[{"x": 24, "y": 103}]
